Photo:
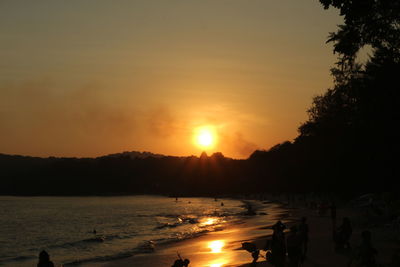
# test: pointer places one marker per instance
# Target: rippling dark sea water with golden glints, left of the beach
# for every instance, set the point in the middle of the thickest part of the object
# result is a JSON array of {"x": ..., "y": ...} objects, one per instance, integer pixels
[{"x": 79, "y": 230}]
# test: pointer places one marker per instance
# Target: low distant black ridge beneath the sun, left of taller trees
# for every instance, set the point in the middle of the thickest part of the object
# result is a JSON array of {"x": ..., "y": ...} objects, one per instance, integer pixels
[{"x": 122, "y": 174}]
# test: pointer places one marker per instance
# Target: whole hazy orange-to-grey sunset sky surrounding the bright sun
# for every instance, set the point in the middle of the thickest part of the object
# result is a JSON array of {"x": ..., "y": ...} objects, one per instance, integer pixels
[{"x": 93, "y": 77}]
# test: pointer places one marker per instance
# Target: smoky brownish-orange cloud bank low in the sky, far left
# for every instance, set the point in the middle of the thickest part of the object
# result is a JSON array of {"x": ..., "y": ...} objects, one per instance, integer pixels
[{"x": 37, "y": 116}]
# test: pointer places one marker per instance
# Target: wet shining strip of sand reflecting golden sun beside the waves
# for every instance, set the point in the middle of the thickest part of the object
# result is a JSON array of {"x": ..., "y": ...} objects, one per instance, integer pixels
[{"x": 196, "y": 248}]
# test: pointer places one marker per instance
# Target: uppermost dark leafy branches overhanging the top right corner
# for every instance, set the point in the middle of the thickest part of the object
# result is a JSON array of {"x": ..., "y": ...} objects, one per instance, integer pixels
[{"x": 367, "y": 22}]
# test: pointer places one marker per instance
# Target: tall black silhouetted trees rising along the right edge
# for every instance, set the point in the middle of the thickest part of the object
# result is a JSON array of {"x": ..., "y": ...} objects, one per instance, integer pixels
[{"x": 355, "y": 121}]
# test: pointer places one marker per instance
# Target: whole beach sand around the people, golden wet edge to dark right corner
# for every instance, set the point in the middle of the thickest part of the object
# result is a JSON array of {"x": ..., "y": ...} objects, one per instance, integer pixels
[{"x": 320, "y": 253}]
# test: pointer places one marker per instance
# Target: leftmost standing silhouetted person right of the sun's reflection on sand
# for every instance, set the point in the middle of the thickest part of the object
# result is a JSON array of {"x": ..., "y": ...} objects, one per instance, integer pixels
[{"x": 278, "y": 246}]
